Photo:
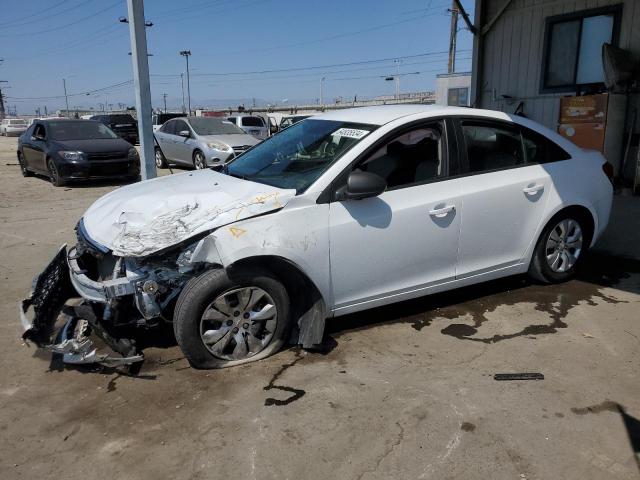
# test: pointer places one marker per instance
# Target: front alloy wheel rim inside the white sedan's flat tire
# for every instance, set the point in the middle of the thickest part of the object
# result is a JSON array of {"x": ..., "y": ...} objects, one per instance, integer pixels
[{"x": 239, "y": 323}]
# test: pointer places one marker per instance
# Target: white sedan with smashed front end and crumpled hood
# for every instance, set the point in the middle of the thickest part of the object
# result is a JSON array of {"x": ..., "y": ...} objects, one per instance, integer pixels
[{"x": 346, "y": 211}]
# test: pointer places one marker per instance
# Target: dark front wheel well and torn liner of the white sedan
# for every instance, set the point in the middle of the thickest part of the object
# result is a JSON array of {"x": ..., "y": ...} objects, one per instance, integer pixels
[{"x": 308, "y": 305}]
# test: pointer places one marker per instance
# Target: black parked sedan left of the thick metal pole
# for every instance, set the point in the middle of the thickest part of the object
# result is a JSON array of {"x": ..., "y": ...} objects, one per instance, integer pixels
[{"x": 66, "y": 150}]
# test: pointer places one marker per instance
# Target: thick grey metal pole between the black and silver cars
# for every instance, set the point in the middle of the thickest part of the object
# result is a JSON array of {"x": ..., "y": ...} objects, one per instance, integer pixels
[{"x": 142, "y": 85}]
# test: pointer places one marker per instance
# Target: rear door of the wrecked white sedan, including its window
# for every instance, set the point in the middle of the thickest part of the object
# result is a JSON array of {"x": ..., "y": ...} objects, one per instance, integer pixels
[{"x": 503, "y": 196}]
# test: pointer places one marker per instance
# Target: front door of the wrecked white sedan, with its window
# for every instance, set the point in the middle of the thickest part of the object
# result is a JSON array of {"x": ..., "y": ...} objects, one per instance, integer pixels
[{"x": 405, "y": 241}]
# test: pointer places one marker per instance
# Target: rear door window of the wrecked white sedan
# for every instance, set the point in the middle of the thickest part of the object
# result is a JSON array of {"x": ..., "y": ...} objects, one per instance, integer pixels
[{"x": 492, "y": 147}]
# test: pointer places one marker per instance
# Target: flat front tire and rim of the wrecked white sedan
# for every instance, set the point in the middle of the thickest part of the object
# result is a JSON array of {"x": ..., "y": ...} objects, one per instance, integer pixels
[{"x": 222, "y": 320}]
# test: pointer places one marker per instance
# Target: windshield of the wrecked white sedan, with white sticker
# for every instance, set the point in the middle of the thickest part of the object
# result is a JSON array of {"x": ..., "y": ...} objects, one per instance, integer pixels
[{"x": 297, "y": 156}]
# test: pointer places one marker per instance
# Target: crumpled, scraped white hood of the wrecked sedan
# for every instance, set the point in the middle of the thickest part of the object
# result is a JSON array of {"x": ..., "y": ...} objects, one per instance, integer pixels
[{"x": 146, "y": 217}]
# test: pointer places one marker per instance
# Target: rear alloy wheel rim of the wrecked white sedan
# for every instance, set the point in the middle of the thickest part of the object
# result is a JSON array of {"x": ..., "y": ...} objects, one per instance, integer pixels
[{"x": 564, "y": 245}]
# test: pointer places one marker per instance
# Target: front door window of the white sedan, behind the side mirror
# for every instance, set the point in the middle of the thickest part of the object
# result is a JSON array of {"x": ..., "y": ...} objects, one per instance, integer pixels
[{"x": 412, "y": 157}]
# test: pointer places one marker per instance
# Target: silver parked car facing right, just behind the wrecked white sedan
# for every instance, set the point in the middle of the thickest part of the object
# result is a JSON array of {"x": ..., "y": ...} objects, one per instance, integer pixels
[{"x": 200, "y": 142}]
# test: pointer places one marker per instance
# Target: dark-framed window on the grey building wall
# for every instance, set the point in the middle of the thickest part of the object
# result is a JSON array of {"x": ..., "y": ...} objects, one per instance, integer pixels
[{"x": 573, "y": 48}]
